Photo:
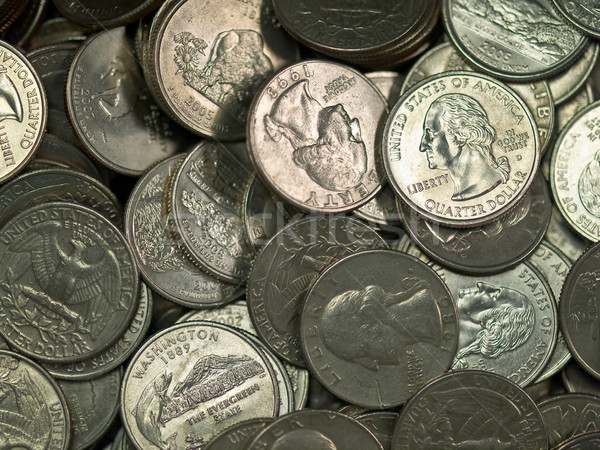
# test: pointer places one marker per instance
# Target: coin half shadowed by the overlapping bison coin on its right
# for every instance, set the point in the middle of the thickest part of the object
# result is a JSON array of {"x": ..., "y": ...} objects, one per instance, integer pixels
[{"x": 111, "y": 110}]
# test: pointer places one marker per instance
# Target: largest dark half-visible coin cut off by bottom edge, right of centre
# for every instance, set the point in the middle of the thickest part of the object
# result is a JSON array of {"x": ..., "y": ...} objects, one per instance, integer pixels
[{"x": 470, "y": 409}]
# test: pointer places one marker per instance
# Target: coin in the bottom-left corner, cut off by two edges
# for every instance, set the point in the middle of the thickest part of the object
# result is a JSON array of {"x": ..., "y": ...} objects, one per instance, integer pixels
[{"x": 34, "y": 410}]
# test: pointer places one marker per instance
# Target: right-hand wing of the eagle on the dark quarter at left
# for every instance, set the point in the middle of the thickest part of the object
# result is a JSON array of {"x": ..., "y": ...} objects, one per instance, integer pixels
[{"x": 100, "y": 285}]
